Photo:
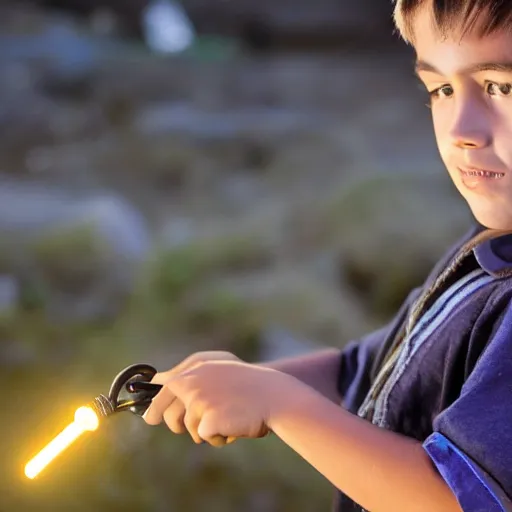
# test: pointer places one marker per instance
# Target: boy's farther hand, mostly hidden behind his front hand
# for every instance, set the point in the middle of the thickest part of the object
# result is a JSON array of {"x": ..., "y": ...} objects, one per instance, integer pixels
[{"x": 175, "y": 413}]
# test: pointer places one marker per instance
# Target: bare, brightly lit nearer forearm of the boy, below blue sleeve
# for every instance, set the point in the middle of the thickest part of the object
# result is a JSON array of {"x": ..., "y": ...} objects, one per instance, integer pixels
[{"x": 381, "y": 470}]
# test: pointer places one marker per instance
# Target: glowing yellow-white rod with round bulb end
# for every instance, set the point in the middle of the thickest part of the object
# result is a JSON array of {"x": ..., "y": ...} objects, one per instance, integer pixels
[{"x": 85, "y": 420}]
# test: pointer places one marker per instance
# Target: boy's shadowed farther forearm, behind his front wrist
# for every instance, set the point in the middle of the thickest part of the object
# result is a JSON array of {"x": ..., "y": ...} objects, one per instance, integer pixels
[{"x": 318, "y": 370}]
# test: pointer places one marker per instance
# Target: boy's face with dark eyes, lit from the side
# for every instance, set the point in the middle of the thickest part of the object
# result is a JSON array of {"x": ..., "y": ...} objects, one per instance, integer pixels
[{"x": 471, "y": 101}]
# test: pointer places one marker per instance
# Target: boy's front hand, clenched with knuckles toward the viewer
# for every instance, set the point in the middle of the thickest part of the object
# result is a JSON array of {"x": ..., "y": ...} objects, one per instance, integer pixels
[{"x": 222, "y": 398}]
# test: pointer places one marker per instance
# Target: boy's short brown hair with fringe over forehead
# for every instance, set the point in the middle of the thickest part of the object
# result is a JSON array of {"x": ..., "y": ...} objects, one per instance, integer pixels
[{"x": 451, "y": 15}]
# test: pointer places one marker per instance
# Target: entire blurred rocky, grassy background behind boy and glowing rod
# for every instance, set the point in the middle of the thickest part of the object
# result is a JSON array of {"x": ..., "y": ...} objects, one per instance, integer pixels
[{"x": 258, "y": 177}]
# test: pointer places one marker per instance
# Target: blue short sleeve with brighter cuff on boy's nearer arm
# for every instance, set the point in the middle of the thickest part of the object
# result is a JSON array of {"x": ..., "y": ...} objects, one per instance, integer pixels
[{"x": 471, "y": 445}]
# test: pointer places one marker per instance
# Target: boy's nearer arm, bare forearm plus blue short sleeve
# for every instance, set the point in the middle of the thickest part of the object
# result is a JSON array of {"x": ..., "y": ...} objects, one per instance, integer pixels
[{"x": 464, "y": 465}]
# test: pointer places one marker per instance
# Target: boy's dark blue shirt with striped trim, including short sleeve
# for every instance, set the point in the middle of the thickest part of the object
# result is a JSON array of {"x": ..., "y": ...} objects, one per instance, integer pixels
[{"x": 451, "y": 385}]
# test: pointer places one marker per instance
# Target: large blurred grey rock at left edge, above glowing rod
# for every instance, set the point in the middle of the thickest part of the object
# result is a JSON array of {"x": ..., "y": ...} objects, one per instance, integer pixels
[{"x": 84, "y": 251}]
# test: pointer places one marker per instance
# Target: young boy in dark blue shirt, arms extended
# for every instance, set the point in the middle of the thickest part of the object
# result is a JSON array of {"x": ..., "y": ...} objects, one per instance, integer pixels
[{"x": 427, "y": 399}]
